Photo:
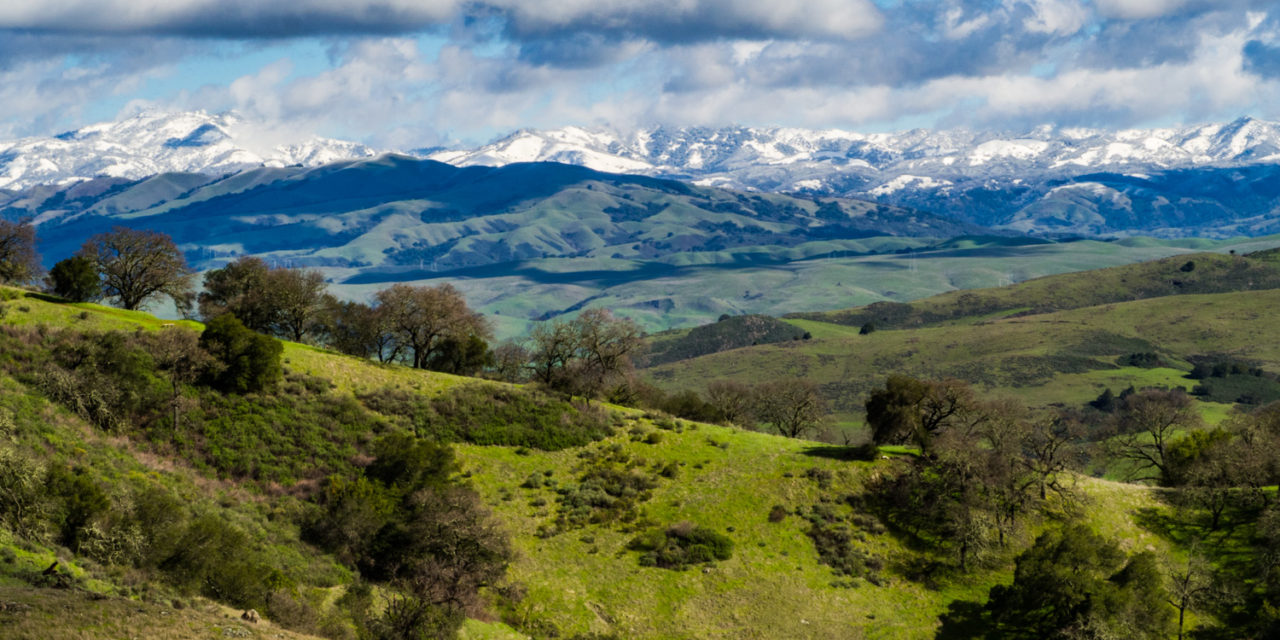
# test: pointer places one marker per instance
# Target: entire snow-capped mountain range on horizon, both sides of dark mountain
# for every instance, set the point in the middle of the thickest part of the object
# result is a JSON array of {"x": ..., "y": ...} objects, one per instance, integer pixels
[{"x": 1212, "y": 181}]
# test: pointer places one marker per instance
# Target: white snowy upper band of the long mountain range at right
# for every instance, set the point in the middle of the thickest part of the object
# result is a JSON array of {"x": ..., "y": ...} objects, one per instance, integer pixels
[{"x": 746, "y": 154}]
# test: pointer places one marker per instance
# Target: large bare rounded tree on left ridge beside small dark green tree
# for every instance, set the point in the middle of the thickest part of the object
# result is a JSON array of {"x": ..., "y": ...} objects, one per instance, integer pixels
[{"x": 140, "y": 266}]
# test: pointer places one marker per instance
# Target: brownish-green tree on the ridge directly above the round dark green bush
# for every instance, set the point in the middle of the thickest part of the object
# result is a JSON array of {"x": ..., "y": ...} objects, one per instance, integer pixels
[{"x": 241, "y": 290}]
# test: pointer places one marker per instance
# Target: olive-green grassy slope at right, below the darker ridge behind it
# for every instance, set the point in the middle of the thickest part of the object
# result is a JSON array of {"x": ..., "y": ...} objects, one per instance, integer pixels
[{"x": 1067, "y": 356}]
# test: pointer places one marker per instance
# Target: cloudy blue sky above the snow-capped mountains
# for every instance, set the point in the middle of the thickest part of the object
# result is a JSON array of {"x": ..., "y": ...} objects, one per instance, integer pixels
[{"x": 415, "y": 74}]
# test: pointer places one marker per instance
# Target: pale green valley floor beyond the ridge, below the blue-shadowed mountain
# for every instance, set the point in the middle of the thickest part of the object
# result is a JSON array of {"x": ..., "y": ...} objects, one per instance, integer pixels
[{"x": 808, "y": 278}]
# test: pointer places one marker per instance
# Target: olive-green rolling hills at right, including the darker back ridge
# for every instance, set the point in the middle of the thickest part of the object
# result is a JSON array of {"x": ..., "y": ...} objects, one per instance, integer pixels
[{"x": 1058, "y": 340}]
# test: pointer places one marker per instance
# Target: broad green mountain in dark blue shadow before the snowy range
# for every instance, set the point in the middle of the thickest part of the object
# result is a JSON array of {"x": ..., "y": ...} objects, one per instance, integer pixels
[{"x": 396, "y": 217}]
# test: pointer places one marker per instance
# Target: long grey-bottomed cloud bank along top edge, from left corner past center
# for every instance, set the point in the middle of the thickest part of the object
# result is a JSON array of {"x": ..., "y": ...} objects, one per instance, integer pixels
[{"x": 655, "y": 20}]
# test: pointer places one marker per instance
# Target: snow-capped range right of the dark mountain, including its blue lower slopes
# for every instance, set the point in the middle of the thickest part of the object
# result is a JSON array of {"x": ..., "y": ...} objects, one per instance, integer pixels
[{"x": 1048, "y": 180}]
